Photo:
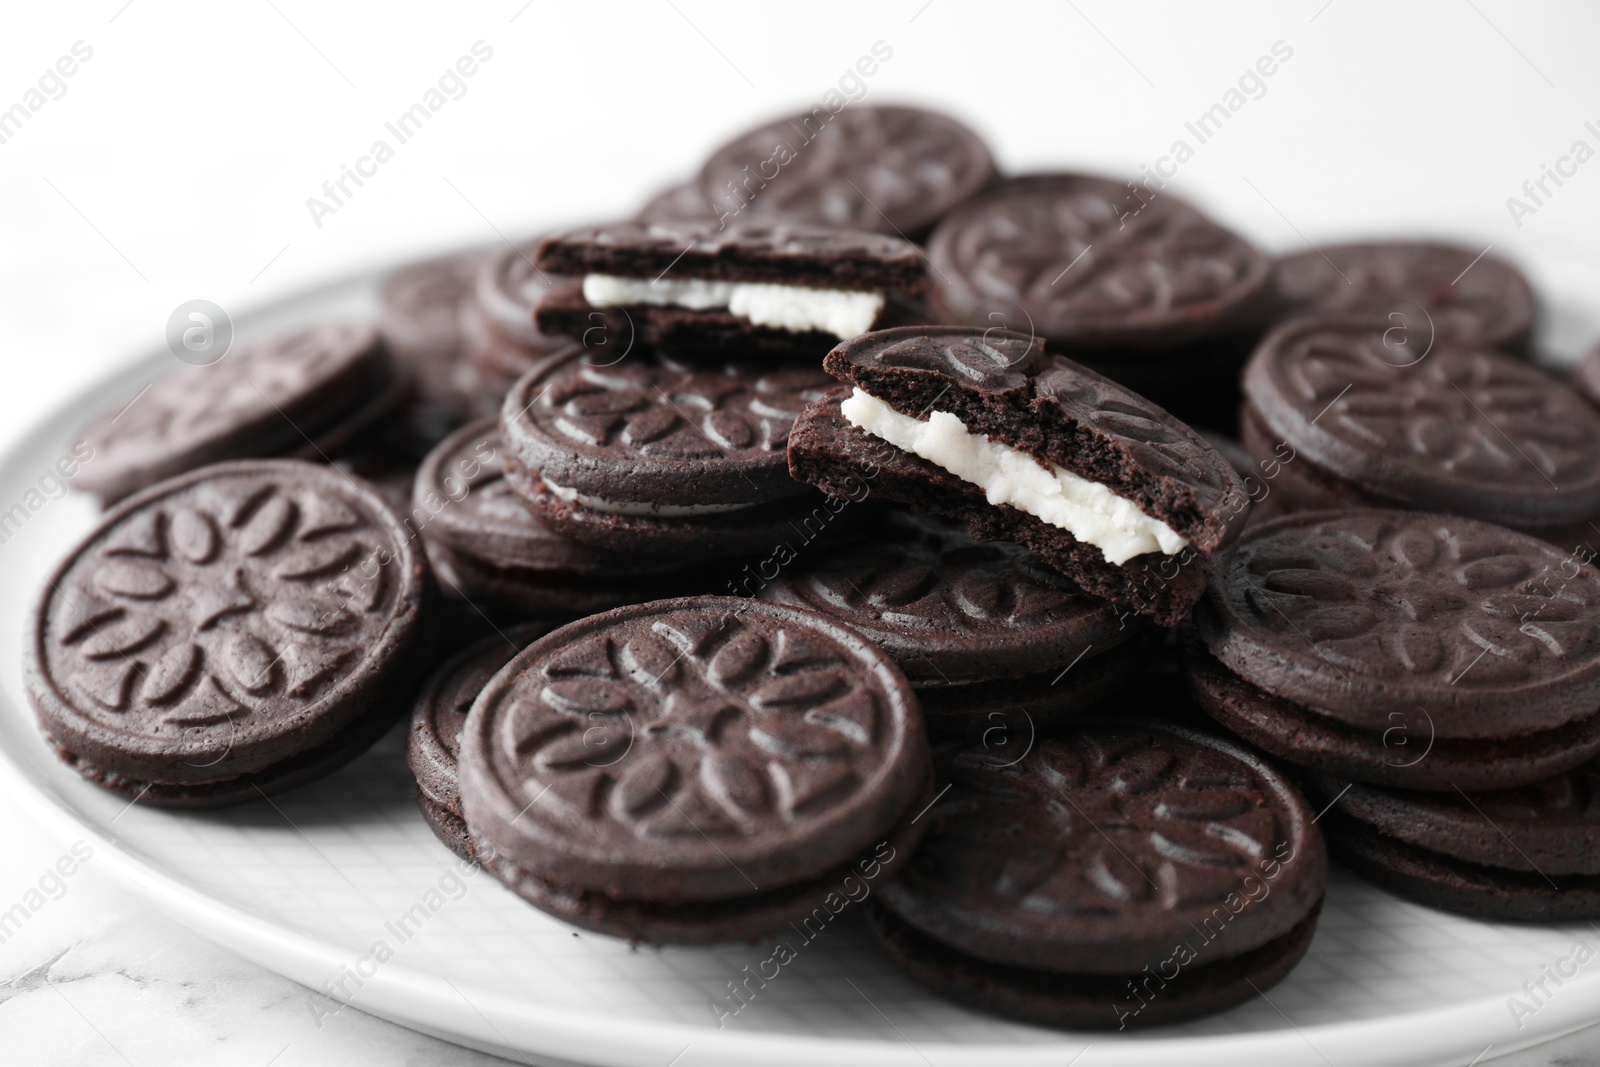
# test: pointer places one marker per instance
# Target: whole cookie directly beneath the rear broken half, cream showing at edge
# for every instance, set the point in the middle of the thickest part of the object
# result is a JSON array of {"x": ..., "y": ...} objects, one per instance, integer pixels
[{"x": 673, "y": 462}]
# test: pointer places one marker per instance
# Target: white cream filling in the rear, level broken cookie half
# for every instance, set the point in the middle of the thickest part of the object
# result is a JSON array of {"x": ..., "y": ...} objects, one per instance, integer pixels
[{"x": 794, "y": 308}]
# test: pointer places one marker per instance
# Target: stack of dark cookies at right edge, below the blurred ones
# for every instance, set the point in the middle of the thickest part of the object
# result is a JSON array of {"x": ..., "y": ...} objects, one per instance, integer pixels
[{"x": 1426, "y": 671}]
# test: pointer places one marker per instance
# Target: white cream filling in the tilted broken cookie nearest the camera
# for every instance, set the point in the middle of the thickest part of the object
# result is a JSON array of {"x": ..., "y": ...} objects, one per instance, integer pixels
[{"x": 1086, "y": 510}]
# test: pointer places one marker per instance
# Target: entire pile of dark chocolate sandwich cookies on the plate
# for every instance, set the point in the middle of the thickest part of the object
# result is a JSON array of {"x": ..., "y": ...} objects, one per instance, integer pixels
[{"x": 838, "y": 529}]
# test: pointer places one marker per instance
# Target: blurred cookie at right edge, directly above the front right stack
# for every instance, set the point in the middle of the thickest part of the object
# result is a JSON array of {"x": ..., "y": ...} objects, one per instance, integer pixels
[{"x": 1366, "y": 414}]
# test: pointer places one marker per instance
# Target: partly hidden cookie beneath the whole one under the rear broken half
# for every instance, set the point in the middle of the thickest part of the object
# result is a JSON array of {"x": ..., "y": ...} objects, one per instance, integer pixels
[{"x": 489, "y": 548}]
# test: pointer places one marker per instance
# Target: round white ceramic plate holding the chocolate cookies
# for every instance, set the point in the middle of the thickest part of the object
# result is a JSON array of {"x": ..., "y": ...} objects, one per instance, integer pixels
[{"x": 314, "y": 884}]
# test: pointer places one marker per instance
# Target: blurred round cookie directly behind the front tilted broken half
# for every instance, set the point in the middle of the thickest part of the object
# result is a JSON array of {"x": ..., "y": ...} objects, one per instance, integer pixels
[{"x": 1095, "y": 266}]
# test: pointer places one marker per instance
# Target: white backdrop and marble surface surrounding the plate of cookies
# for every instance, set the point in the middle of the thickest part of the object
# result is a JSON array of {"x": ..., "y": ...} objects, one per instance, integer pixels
[{"x": 180, "y": 159}]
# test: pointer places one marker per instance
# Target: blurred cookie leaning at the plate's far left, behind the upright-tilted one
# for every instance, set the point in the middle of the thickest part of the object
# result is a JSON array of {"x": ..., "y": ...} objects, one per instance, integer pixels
[{"x": 303, "y": 393}]
